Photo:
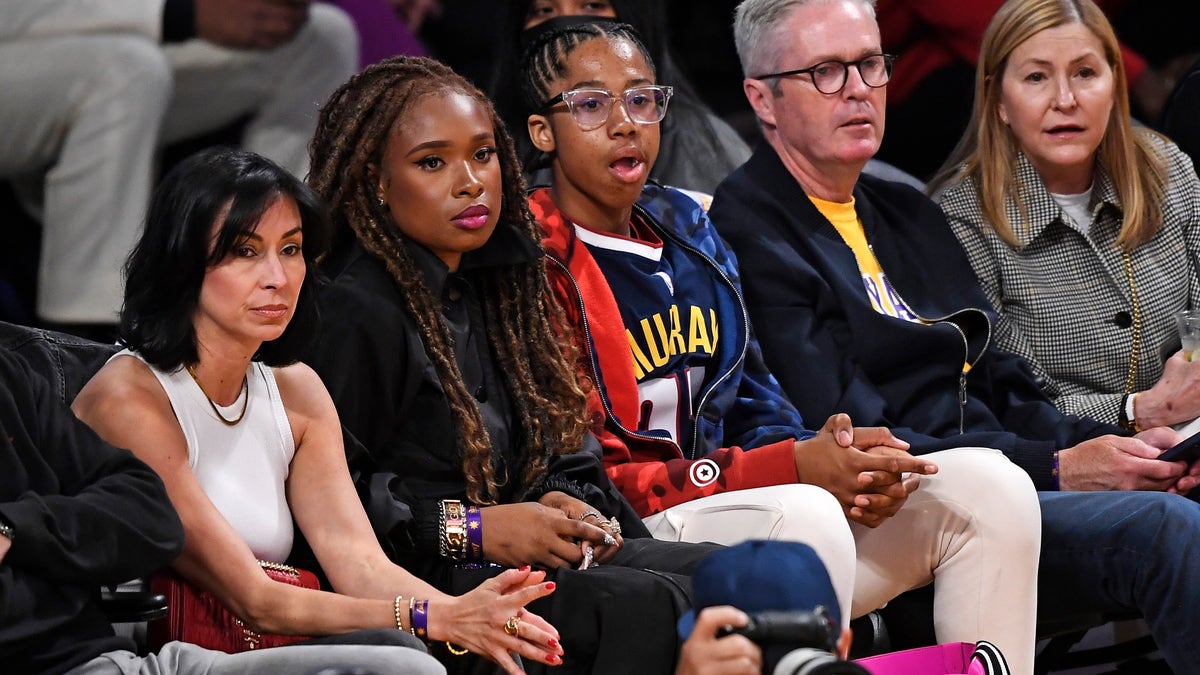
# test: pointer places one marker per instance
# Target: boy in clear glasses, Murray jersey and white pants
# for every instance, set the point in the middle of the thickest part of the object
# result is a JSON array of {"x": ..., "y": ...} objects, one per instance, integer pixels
[{"x": 697, "y": 433}]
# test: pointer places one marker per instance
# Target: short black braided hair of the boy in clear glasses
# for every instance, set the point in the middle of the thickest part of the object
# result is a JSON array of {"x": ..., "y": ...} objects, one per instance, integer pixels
[{"x": 545, "y": 59}]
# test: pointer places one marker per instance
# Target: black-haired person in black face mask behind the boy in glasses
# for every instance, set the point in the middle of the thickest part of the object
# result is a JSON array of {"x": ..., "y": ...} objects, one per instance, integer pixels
[{"x": 699, "y": 150}]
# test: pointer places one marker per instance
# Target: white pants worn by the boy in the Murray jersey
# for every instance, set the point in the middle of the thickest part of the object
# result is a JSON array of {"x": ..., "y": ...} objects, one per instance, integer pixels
[{"x": 975, "y": 528}]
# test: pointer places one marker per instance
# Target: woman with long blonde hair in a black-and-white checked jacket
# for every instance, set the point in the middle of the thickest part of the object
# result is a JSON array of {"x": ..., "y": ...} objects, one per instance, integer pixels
[{"x": 1083, "y": 230}]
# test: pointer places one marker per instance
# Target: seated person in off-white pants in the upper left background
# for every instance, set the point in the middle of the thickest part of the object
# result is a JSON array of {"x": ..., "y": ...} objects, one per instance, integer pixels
[{"x": 94, "y": 89}]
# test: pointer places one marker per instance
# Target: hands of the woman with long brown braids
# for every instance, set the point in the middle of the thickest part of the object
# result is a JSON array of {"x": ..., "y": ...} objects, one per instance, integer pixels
[{"x": 549, "y": 534}]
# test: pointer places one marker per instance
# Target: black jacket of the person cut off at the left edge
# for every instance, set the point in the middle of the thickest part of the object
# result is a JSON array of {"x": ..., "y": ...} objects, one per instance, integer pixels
[{"x": 85, "y": 515}]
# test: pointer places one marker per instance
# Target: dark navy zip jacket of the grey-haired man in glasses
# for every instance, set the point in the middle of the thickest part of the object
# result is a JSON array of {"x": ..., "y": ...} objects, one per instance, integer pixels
[{"x": 833, "y": 353}]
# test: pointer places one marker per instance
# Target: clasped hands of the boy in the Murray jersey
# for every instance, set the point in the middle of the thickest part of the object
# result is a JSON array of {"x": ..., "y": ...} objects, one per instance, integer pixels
[{"x": 867, "y": 469}]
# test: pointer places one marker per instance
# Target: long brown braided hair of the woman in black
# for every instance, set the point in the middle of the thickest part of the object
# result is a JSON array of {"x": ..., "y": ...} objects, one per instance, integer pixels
[{"x": 523, "y": 325}]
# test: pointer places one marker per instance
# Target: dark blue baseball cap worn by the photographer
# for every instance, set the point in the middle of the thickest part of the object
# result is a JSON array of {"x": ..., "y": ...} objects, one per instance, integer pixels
[{"x": 760, "y": 576}]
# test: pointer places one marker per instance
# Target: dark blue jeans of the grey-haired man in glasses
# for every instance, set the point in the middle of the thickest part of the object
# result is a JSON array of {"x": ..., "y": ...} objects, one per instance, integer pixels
[{"x": 1109, "y": 552}]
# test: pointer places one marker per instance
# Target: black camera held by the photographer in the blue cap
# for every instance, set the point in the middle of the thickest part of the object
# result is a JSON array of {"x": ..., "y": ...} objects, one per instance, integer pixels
[{"x": 796, "y": 643}]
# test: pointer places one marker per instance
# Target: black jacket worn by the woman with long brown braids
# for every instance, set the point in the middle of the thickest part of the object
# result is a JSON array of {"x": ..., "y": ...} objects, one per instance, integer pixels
[{"x": 391, "y": 401}]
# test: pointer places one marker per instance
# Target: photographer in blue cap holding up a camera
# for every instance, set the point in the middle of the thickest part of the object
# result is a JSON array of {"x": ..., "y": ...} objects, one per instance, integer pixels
[{"x": 765, "y": 607}]
